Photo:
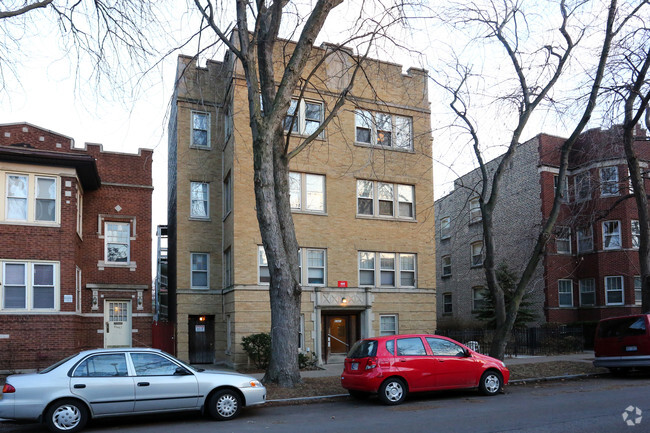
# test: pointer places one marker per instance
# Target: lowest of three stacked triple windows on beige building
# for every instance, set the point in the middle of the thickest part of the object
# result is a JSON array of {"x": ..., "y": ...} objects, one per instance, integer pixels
[{"x": 387, "y": 269}]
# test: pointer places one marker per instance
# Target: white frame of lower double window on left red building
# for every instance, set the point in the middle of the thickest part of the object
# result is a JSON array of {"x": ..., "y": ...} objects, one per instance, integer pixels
[{"x": 28, "y": 276}]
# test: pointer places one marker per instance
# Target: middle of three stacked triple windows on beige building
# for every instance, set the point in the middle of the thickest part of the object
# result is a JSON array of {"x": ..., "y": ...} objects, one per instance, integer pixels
[{"x": 385, "y": 200}]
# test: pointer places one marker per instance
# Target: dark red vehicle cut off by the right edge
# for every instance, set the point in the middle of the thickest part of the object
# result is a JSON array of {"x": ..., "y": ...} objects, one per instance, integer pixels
[{"x": 622, "y": 343}]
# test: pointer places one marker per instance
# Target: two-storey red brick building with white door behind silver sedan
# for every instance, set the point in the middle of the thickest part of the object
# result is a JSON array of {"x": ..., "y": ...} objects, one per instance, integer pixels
[{"x": 75, "y": 247}]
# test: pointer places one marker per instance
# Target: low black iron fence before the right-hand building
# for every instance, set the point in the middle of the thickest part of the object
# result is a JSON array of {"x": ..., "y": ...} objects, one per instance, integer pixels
[{"x": 546, "y": 340}]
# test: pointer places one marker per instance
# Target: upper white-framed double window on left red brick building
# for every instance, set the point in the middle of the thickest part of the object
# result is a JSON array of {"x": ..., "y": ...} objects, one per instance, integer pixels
[{"x": 31, "y": 198}]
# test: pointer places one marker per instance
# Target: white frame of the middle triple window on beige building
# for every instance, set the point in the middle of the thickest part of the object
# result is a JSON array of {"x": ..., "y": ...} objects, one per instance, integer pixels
[{"x": 396, "y": 199}]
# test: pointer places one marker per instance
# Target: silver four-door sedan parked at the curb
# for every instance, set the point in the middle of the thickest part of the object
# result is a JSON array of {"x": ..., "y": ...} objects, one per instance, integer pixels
[{"x": 111, "y": 382}]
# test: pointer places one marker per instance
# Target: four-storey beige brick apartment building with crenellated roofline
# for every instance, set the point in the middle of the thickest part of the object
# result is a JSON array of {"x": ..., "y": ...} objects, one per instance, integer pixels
[{"x": 362, "y": 197}]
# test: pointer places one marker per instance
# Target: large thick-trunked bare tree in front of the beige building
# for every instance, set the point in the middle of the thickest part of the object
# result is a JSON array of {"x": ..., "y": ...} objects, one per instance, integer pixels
[{"x": 255, "y": 44}]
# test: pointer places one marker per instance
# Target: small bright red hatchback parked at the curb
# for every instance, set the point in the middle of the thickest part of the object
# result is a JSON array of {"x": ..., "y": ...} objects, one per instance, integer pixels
[{"x": 395, "y": 365}]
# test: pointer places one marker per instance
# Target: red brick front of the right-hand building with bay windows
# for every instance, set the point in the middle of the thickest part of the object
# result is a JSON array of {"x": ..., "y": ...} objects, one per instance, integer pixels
[{"x": 591, "y": 269}]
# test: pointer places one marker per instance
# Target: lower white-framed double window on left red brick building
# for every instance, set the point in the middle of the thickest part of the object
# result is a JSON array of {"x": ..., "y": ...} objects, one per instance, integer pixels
[{"x": 29, "y": 286}]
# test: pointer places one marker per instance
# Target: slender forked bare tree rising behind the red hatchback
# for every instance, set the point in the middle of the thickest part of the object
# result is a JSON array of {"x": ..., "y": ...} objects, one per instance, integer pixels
[{"x": 508, "y": 24}]
